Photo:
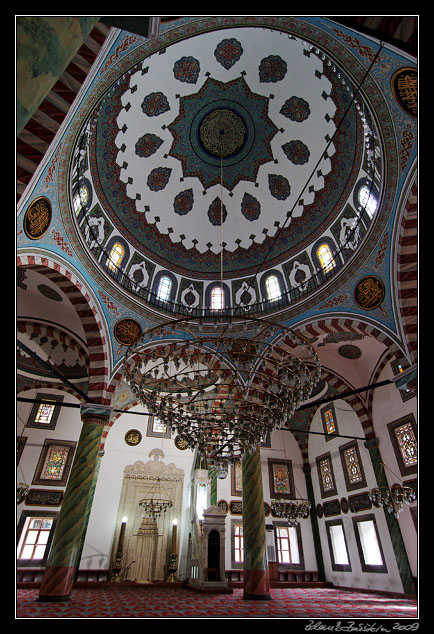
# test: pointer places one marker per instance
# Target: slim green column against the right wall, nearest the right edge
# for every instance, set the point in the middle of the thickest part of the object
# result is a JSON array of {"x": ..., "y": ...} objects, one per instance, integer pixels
[{"x": 392, "y": 523}]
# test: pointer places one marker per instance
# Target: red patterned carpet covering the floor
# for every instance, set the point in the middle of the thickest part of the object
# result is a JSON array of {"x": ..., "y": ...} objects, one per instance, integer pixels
[{"x": 179, "y": 603}]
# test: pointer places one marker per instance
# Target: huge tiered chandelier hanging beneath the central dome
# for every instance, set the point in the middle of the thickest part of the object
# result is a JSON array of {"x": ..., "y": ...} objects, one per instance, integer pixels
[{"x": 221, "y": 383}]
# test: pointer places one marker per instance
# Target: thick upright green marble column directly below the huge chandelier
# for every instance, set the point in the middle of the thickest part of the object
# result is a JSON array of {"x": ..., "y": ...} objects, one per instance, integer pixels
[{"x": 256, "y": 575}]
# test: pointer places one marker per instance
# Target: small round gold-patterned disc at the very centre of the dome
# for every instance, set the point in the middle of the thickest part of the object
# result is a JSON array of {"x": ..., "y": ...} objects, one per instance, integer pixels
[{"x": 222, "y": 133}]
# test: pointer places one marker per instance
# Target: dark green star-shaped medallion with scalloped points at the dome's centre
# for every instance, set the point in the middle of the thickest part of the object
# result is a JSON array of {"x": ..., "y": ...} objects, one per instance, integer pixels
[{"x": 222, "y": 120}]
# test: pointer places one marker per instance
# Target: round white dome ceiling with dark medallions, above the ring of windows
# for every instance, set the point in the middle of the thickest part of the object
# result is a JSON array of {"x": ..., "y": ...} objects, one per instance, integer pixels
[{"x": 242, "y": 136}]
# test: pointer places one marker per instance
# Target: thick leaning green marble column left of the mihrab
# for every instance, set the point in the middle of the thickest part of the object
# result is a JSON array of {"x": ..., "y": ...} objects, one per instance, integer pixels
[{"x": 68, "y": 538}]
